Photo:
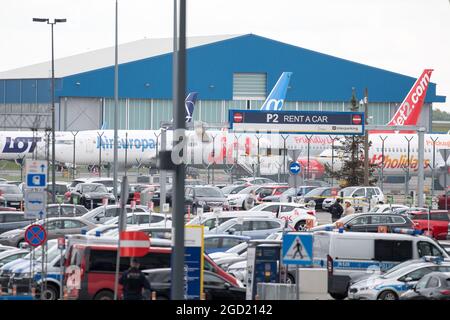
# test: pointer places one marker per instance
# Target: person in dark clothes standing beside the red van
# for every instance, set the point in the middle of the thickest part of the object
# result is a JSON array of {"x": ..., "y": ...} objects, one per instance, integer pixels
[{"x": 134, "y": 282}]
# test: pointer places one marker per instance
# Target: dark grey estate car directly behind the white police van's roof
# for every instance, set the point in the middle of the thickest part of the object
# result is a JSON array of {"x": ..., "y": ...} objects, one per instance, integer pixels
[{"x": 369, "y": 222}]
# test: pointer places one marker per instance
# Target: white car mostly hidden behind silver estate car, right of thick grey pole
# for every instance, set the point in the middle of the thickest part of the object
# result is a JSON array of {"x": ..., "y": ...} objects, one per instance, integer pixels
[{"x": 211, "y": 220}]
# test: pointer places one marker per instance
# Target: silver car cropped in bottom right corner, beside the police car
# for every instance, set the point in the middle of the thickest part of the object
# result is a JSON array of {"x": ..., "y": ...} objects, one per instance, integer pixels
[{"x": 433, "y": 286}]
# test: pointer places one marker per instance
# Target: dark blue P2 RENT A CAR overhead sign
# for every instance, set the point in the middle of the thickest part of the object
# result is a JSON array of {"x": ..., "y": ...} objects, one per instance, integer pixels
[{"x": 302, "y": 122}]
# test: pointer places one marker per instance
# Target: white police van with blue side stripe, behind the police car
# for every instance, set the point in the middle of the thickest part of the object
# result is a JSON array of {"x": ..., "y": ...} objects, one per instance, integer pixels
[{"x": 351, "y": 254}]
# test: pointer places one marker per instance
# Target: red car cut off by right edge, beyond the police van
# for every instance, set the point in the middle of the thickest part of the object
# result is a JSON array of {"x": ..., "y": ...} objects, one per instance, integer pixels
[{"x": 438, "y": 224}]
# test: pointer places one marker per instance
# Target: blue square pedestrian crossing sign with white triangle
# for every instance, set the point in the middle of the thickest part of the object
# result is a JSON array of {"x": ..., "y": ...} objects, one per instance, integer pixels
[{"x": 298, "y": 248}]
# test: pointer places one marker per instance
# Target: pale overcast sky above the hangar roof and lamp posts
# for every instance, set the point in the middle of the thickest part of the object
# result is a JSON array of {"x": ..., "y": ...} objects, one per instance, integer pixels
[{"x": 404, "y": 36}]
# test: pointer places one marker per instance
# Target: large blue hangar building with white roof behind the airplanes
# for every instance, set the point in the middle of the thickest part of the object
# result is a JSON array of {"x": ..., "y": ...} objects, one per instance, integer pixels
[{"x": 228, "y": 72}]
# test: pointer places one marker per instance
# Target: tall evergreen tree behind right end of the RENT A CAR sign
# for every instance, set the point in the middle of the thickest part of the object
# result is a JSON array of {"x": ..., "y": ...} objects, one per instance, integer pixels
[{"x": 352, "y": 171}]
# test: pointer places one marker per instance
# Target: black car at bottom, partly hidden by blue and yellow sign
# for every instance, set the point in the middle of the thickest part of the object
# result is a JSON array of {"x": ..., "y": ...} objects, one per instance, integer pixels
[{"x": 214, "y": 286}]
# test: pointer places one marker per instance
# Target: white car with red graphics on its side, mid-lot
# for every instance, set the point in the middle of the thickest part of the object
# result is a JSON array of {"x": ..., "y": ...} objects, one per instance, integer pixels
[{"x": 296, "y": 214}]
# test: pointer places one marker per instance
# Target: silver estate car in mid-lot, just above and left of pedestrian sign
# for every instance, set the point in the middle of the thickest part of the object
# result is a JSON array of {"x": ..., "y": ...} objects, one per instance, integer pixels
[{"x": 255, "y": 228}]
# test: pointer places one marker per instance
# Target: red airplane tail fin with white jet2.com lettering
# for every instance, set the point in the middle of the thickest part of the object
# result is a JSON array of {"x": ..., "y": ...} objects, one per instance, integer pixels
[{"x": 409, "y": 111}]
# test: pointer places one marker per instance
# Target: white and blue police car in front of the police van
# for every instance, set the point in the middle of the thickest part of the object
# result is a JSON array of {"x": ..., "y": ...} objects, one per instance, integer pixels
[{"x": 396, "y": 281}]
